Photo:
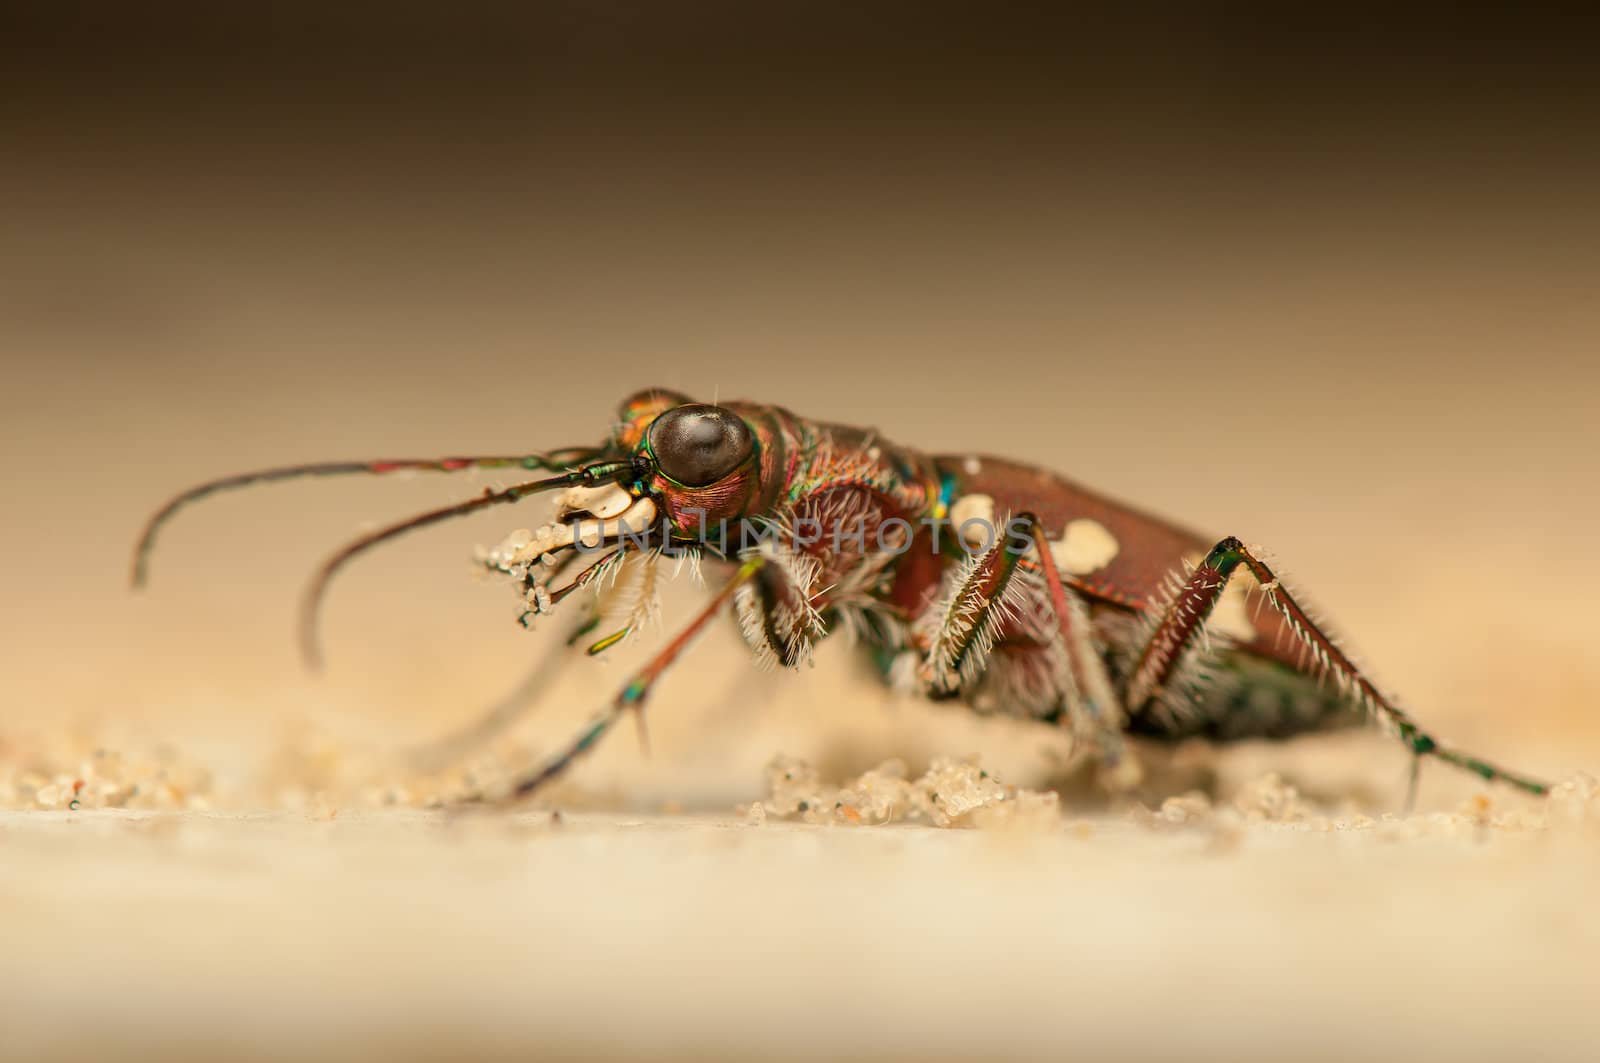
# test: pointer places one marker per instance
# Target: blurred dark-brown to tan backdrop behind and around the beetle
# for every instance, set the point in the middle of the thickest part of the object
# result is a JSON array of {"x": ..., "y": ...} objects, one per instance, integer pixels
[{"x": 1327, "y": 284}]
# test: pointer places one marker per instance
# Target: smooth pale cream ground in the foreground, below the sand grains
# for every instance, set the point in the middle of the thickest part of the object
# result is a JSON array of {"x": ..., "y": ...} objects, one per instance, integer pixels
[{"x": 406, "y": 936}]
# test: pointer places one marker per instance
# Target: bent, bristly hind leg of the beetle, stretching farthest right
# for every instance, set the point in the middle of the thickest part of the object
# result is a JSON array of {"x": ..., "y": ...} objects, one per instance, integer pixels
[{"x": 1183, "y": 622}]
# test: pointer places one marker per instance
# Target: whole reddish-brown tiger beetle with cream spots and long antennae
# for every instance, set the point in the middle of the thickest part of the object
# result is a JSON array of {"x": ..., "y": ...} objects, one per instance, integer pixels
[{"x": 967, "y": 577}]
